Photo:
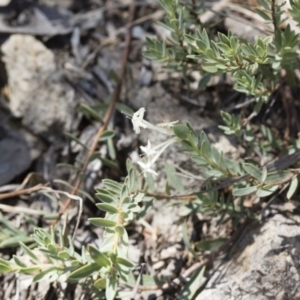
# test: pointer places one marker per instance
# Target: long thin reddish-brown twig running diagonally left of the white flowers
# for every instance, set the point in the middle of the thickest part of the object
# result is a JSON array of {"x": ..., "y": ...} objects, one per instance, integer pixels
[{"x": 106, "y": 119}]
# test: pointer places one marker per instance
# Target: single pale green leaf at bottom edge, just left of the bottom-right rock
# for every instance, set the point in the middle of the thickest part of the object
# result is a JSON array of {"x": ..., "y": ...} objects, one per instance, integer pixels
[{"x": 192, "y": 286}]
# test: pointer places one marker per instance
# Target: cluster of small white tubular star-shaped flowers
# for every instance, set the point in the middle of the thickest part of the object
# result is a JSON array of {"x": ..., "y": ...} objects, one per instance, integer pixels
[{"x": 152, "y": 153}]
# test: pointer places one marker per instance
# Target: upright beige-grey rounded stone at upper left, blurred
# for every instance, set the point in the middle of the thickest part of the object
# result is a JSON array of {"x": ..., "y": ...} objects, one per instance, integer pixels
[{"x": 38, "y": 94}]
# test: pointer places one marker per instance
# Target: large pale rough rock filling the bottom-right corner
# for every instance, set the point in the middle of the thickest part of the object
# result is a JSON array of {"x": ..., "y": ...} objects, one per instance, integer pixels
[{"x": 265, "y": 264}]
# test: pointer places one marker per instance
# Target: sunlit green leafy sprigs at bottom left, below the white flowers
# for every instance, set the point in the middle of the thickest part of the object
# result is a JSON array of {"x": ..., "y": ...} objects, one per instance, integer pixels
[{"x": 53, "y": 257}]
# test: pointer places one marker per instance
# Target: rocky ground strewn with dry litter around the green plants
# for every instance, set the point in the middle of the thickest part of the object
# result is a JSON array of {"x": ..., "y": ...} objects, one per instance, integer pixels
[{"x": 60, "y": 57}]
